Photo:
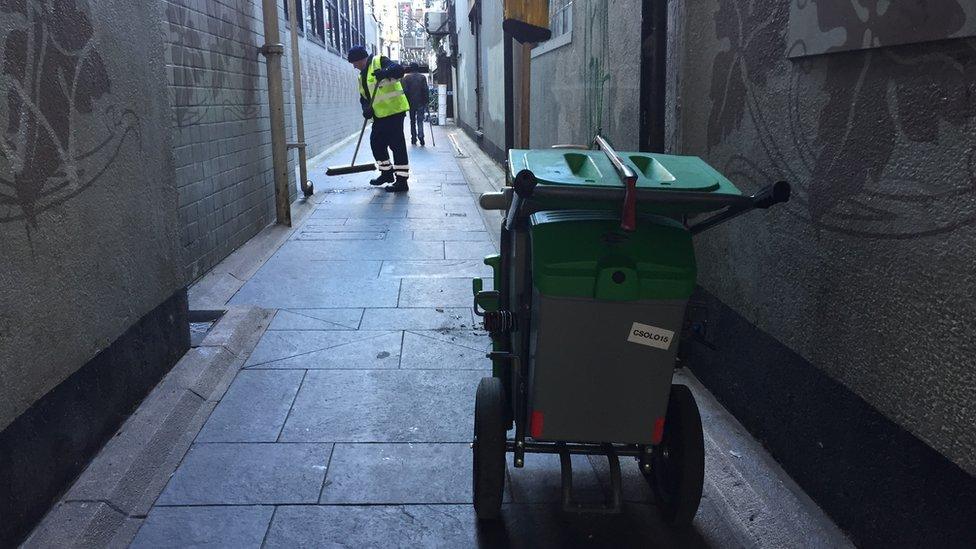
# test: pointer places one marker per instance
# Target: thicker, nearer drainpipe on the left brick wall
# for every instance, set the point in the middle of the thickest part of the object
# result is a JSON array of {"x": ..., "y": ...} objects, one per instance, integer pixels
[{"x": 273, "y": 49}]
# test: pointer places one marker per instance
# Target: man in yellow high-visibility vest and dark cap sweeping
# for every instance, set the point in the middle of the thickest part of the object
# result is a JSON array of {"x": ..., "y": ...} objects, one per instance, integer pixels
[{"x": 388, "y": 110}]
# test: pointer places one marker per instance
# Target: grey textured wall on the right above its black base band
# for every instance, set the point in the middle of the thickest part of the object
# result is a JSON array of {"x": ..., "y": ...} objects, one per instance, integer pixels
[{"x": 874, "y": 256}]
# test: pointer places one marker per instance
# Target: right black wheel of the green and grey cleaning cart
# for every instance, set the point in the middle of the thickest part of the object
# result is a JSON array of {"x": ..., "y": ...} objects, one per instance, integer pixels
[{"x": 678, "y": 462}]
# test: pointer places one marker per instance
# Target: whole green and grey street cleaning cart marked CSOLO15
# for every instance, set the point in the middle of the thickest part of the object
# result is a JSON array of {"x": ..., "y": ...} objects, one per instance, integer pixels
[{"x": 586, "y": 313}]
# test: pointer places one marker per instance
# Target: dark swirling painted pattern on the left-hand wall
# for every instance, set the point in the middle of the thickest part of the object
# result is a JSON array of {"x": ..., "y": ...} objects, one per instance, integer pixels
[{"x": 61, "y": 129}]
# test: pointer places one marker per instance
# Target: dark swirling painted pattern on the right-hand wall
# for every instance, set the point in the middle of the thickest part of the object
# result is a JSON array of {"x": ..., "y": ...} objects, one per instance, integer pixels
[{"x": 848, "y": 147}]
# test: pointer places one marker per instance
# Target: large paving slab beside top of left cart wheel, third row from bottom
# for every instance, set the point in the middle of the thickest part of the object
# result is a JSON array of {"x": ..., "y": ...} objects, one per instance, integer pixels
[{"x": 384, "y": 406}]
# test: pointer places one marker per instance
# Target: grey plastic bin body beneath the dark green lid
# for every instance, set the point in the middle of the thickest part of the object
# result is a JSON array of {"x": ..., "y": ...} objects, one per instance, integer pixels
[{"x": 588, "y": 380}]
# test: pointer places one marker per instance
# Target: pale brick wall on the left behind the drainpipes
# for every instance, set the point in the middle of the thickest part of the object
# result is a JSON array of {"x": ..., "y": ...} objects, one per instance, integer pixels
[{"x": 220, "y": 122}]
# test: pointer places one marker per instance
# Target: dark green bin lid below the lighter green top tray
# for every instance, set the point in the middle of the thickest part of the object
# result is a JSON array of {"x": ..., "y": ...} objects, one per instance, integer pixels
[{"x": 585, "y": 254}]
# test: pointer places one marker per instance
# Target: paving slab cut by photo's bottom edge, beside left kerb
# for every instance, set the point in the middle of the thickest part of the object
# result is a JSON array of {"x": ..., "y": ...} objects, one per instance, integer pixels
[{"x": 231, "y": 527}]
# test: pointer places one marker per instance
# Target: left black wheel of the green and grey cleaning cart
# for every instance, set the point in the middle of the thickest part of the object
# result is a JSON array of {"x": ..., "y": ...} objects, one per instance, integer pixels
[{"x": 489, "y": 448}]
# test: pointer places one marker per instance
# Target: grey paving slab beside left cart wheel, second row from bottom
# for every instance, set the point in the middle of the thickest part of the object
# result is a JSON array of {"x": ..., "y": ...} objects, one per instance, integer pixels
[{"x": 399, "y": 473}]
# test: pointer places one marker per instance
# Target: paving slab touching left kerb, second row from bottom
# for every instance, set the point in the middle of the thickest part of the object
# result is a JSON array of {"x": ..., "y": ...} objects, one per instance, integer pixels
[{"x": 248, "y": 474}]
